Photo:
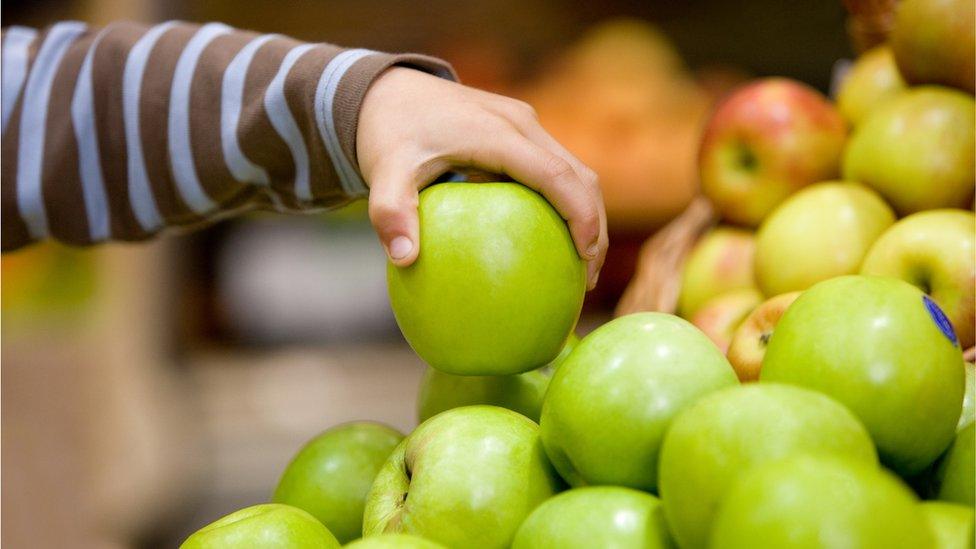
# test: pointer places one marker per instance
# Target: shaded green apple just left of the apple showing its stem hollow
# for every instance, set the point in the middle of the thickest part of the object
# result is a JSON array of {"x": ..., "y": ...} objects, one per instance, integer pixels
[{"x": 331, "y": 475}]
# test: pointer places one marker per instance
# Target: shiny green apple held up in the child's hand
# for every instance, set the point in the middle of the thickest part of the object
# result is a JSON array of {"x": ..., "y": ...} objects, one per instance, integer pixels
[{"x": 498, "y": 285}]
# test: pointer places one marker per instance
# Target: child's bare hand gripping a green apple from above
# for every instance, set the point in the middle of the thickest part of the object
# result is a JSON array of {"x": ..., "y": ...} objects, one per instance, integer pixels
[{"x": 413, "y": 127}]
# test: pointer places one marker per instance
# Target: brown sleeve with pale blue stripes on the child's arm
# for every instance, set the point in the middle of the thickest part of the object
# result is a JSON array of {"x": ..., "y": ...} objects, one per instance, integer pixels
[{"x": 119, "y": 132}]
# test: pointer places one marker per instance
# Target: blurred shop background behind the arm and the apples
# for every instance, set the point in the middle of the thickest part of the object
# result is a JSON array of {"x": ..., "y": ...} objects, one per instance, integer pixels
[{"x": 149, "y": 389}]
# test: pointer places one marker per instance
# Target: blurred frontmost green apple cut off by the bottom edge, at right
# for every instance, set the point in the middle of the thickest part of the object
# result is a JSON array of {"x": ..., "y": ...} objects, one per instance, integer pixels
[{"x": 815, "y": 502}]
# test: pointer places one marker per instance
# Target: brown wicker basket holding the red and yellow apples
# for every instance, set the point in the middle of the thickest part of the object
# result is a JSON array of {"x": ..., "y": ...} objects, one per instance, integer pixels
[{"x": 657, "y": 277}]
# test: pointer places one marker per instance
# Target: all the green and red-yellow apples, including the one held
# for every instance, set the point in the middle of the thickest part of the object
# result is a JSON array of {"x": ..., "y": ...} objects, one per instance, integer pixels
[{"x": 814, "y": 395}]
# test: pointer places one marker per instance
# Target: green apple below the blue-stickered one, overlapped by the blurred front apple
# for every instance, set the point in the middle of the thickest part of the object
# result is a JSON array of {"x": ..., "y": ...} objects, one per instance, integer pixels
[{"x": 728, "y": 432}]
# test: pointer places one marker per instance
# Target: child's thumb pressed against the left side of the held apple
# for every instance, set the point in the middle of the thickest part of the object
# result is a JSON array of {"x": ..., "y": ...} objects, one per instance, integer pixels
[{"x": 393, "y": 213}]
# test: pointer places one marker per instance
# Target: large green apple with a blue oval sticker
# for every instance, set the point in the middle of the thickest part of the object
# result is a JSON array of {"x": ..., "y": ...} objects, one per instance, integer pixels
[{"x": 885, "y": 350}]
